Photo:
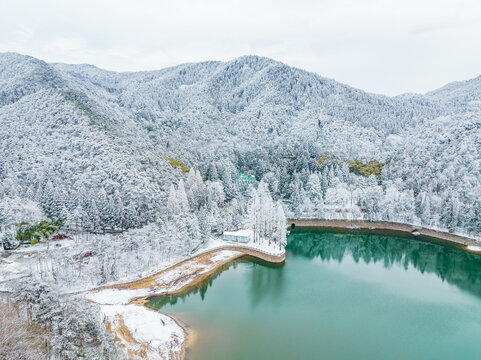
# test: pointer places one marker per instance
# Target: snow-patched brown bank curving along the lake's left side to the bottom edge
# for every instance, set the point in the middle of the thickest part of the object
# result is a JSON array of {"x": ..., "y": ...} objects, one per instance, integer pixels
[{"x": 120, "y": 302}]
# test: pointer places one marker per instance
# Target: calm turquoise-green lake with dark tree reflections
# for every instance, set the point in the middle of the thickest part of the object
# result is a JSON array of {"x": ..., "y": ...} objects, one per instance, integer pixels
[{"x": 339, "y": 296}]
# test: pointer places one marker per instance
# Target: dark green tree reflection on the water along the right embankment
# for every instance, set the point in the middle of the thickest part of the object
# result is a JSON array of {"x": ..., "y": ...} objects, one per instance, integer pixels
[{"x": 457, "y": 267}]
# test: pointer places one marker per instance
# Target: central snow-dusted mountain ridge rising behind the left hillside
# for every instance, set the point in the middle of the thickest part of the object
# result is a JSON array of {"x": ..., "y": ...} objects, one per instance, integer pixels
[{"x": 251, "y": 101}]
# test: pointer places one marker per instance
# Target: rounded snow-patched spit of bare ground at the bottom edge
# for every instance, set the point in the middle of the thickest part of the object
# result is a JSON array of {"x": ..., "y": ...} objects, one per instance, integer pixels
[{"x": 144, "y": 333}]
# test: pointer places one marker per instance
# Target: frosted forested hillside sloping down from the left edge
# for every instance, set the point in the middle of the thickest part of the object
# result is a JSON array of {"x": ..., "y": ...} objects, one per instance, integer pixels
[{"x": 66, "y": 150}]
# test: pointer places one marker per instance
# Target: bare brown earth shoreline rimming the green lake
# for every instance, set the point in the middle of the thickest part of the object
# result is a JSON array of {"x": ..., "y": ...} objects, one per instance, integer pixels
[{"x": 240, "y": 251}]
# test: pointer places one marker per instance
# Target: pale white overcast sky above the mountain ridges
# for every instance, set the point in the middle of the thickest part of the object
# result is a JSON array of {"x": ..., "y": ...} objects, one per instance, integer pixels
[{"x": 382, "y": 46}]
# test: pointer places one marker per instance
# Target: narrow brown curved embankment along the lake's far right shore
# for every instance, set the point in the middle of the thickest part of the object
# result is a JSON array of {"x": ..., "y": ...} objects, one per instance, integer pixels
[{"x": 393, "y": 228}]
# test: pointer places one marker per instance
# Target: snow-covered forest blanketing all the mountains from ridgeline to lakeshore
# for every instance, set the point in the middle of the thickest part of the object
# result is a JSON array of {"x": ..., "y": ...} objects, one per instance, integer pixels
[{"x": 107, "y": 151}]
